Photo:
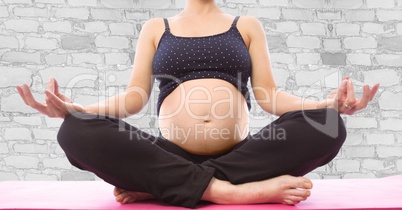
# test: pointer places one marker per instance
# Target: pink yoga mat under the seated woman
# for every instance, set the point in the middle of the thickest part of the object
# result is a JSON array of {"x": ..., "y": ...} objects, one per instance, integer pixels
[{"x": 384, "y": 193}]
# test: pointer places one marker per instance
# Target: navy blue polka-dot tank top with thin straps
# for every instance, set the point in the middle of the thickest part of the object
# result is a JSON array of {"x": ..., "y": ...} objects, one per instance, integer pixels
[{"x": 223, "y": 56}]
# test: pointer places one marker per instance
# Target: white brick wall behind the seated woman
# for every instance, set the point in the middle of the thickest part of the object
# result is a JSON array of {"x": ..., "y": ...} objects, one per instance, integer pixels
[{"x": 310, "y": 42}]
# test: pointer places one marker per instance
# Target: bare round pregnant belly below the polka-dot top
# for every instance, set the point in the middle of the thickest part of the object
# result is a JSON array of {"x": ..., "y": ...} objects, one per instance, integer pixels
[{"x": 204, "y": 116}]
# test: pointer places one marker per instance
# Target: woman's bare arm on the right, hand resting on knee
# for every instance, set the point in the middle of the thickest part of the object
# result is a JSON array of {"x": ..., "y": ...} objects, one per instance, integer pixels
[{"x": 279, "y": 102}]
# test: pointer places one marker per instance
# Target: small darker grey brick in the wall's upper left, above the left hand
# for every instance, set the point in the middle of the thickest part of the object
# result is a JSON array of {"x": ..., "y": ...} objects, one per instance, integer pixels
[{"x": 74, "y": 42}]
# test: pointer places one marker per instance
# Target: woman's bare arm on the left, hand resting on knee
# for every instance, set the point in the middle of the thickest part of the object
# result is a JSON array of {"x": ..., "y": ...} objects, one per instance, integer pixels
[{"x": 123, "y": 105}]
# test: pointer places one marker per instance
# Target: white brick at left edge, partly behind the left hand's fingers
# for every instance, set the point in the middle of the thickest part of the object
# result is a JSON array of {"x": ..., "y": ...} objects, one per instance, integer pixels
[{"x": 15, "y": 104}]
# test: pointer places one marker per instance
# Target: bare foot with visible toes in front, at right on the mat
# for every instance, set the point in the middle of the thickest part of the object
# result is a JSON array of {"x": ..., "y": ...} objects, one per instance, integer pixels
[{"x": 284, "y": 189}]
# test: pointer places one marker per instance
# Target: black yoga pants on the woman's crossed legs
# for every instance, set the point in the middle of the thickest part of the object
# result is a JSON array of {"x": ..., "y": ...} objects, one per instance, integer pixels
[{"x": 295, "y": 144}]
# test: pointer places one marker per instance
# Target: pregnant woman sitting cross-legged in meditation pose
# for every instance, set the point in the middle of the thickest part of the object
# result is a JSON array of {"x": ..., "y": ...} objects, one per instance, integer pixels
[{"x": 203, "y": 59}]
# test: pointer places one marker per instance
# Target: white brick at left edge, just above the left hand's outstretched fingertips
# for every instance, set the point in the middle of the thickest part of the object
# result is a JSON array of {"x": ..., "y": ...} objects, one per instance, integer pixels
[{"x": 11, "y": 76}]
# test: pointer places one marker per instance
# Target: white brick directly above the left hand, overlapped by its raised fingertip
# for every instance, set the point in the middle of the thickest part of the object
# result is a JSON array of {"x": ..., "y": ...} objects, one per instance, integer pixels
[{"x": 70, "y": 76}]
